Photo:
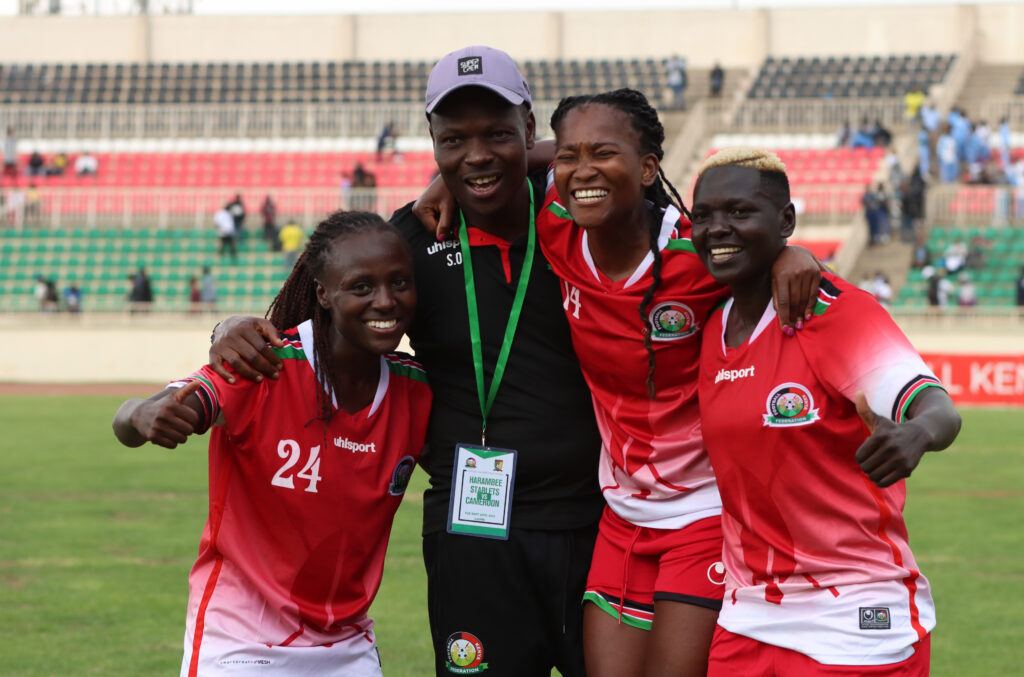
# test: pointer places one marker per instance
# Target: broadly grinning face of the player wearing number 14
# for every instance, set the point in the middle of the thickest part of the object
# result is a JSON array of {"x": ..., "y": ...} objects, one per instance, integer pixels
[{"x": 602, "y": 173}]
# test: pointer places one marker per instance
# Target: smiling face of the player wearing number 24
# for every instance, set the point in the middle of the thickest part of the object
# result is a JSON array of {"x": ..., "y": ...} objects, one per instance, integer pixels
[{"x": 367, "y": 286}]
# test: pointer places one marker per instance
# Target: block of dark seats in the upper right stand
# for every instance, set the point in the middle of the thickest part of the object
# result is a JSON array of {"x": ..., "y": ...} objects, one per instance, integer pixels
[{"x": 848, "y": 77}]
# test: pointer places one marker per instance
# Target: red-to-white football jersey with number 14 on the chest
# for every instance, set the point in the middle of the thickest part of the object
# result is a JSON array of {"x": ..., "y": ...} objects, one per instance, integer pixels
[{"x": 655, "y": 472}]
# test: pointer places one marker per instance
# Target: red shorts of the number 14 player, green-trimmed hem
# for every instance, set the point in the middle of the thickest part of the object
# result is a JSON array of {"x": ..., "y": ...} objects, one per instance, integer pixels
[{"x": 641, "y": 566}]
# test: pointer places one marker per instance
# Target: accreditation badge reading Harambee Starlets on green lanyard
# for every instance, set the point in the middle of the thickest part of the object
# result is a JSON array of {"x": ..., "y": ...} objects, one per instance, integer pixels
[{"x": 482, "y": 492}]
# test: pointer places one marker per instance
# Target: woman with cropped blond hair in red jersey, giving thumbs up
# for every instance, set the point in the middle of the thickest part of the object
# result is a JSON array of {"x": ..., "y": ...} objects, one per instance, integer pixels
[{"x": 820, "y": 576}]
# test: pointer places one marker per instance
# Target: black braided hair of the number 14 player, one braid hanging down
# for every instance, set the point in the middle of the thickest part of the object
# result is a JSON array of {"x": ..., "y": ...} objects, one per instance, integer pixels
[{"x": 662, "y": 193}]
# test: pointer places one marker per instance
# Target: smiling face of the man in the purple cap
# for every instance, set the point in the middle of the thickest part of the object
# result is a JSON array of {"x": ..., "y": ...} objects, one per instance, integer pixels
[{"x": 481, "y": 144}]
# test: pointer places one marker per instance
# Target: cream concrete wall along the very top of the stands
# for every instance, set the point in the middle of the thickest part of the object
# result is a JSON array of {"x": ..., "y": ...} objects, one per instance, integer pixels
[{"x": 737, "y": 38}]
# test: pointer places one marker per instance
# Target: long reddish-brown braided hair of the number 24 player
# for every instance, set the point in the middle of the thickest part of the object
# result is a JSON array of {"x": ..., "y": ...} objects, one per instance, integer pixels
[{"x": 297, "y": 302}]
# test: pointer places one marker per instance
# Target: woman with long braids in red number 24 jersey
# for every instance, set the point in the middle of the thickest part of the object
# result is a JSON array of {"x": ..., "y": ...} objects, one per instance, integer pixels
[{"x": 307, "y": 471}]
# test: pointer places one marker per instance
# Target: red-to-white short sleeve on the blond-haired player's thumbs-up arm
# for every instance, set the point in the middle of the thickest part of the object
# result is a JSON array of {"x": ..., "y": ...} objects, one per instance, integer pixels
[{"x": 855, "y": 347}]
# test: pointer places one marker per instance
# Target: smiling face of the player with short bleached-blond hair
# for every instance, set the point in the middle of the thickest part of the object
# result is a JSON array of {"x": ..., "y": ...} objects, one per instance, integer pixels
[{"x": 739, "y": 228}]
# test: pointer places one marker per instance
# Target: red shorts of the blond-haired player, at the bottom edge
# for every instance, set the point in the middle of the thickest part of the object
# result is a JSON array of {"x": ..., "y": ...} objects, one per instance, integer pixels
[{"x": 737, "y": 655}]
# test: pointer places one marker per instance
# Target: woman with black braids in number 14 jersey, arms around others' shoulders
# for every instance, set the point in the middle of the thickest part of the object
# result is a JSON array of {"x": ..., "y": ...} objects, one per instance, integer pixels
[{"x": 636, "y": 297}]
